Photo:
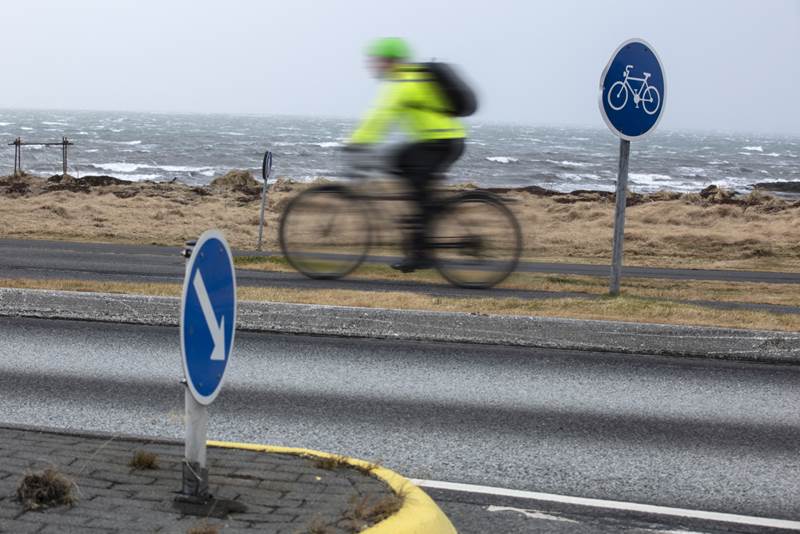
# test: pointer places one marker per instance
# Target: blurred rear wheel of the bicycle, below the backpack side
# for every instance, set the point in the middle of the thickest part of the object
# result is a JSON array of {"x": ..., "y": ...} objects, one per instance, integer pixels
[{"x": 476, "y": 241}]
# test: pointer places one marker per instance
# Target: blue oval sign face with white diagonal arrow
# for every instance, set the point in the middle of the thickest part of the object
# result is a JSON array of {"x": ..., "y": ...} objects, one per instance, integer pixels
[{"x": 208, "y": 316}]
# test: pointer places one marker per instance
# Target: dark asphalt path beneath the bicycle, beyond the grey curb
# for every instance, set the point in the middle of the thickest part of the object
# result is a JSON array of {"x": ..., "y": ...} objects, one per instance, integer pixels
[{"x": 141, "y": 263}]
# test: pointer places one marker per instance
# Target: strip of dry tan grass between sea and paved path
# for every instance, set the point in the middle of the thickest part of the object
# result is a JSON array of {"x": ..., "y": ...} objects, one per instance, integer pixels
[{"x": 713, "y": 228}]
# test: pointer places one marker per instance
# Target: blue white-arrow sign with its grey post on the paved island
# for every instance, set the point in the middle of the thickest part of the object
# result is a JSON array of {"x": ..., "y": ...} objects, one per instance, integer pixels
[{"x": 207, "y": 327}]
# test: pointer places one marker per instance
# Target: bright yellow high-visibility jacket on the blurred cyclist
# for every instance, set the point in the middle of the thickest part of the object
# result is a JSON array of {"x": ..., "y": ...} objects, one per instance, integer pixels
[{"x": 409, "y": 96}]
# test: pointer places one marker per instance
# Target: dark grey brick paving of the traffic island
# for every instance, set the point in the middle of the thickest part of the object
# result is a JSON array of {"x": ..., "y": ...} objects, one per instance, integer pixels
[{"x": 282, "y": 493}]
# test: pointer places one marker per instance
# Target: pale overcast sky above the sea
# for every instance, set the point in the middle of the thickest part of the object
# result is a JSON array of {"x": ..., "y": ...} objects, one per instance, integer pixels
[{"x": 730, "y": 64}]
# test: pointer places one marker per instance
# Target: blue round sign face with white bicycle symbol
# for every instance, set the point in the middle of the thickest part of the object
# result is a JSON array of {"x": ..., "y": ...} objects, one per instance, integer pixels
[{"x": 633, "y": 90}]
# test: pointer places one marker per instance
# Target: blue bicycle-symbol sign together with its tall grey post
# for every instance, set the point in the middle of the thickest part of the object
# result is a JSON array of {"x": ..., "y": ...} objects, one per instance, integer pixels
[{"x": 632, "y": 96}]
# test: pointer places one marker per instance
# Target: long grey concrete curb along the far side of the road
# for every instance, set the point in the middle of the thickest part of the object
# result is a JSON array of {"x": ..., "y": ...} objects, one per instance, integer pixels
[{"x": 425, "y": 326}]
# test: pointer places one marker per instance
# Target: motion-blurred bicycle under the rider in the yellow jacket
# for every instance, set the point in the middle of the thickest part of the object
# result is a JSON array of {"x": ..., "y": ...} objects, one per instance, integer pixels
[{"x": 327, "y": 231}]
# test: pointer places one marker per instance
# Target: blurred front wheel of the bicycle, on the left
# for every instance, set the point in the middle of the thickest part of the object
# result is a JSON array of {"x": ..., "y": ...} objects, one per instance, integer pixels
[{"x": 324, "y": 233}]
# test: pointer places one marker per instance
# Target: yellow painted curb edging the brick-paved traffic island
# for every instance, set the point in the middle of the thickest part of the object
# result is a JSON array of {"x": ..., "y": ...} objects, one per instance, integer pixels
[{"x": 418, "y": 515}]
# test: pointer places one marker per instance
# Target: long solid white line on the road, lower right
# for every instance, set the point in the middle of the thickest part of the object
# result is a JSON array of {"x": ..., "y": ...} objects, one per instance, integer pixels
[{"x": 784, "y": 524}]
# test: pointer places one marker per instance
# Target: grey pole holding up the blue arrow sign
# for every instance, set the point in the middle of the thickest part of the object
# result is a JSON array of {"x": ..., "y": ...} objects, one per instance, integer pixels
[{"x": 195, "y": 468}]
